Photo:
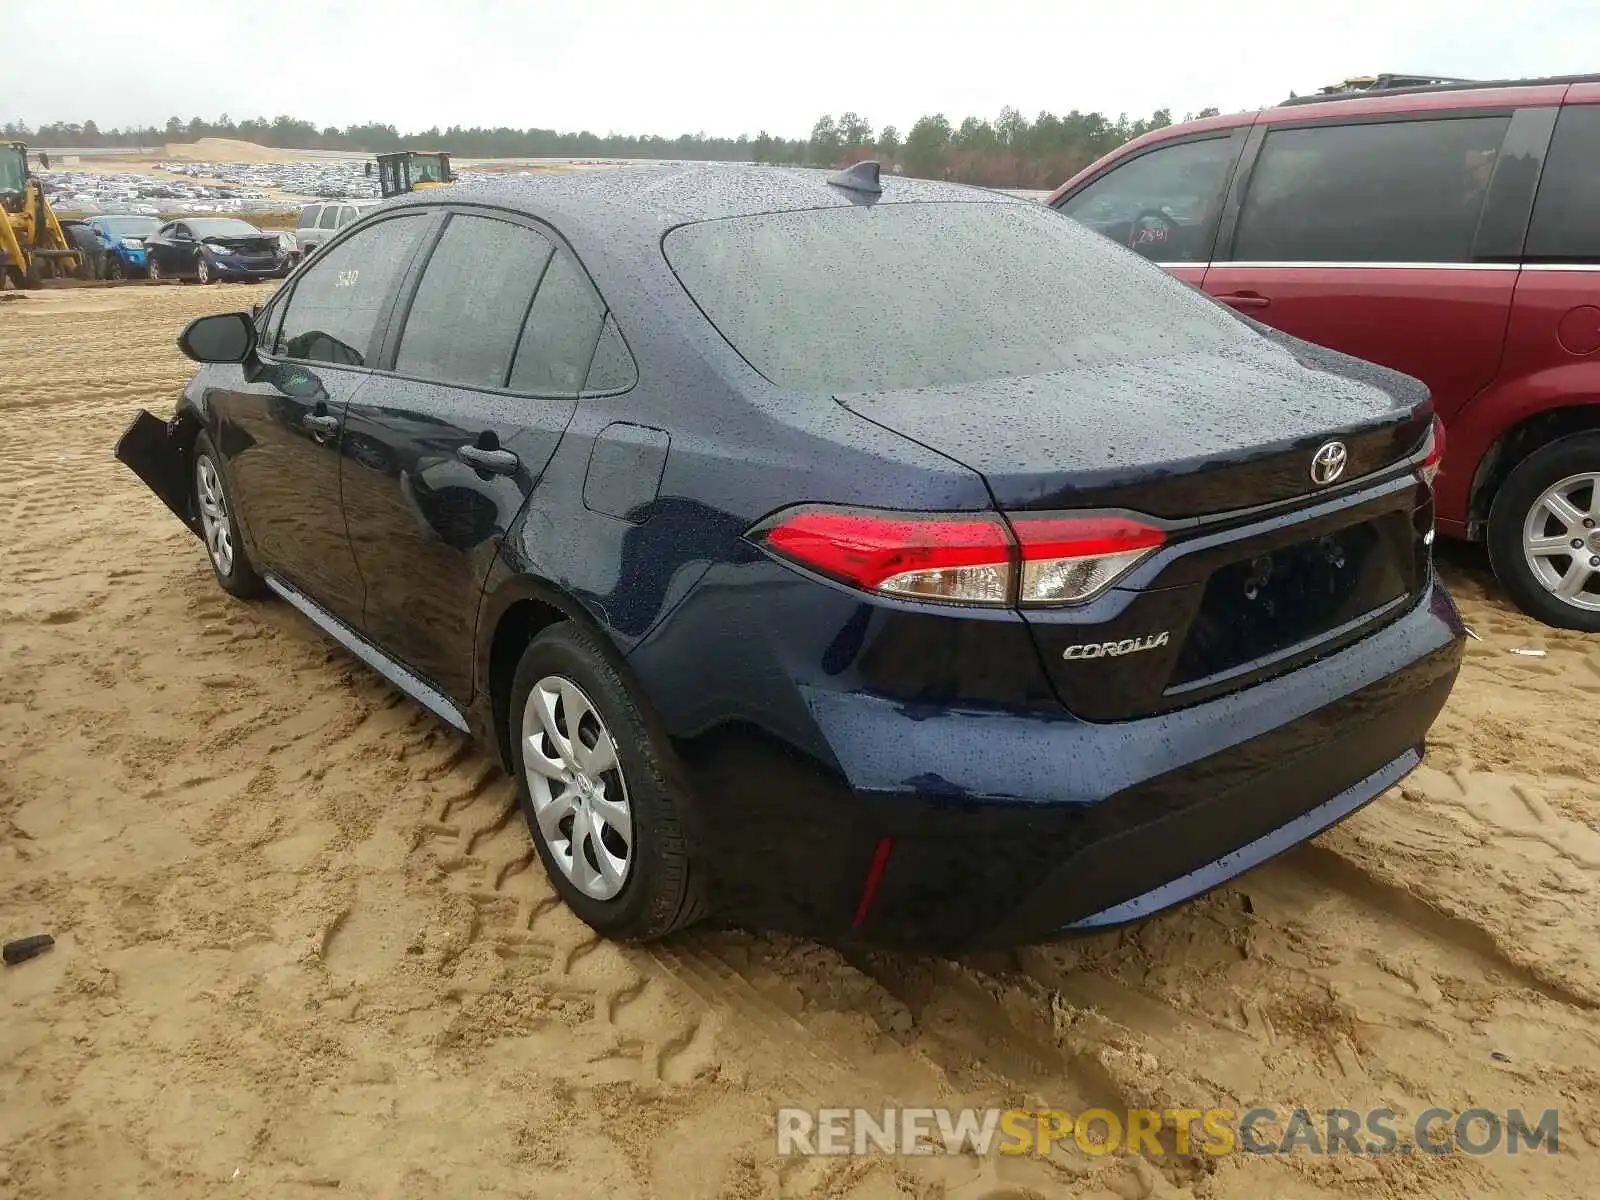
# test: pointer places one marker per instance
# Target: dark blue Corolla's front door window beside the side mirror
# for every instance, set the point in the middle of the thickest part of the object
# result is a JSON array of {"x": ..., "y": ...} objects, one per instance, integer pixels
[{"x": 342, "y": 297}]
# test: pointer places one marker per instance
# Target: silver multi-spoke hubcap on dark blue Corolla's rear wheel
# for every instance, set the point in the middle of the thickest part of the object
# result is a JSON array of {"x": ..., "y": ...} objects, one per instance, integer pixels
[{"x": 580, "y": 798}]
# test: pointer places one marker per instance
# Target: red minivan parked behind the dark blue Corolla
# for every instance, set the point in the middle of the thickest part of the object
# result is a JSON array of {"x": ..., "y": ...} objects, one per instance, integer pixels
[{"x": 1447, "y": 231}]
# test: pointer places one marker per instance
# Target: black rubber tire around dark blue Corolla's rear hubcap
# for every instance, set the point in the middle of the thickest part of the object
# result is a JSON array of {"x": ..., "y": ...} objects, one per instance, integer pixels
[{"x": 662, "y": 892}]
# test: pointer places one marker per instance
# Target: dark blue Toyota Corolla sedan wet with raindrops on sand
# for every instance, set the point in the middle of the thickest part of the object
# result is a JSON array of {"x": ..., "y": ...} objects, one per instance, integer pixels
[{"x": 886, "y": 561}]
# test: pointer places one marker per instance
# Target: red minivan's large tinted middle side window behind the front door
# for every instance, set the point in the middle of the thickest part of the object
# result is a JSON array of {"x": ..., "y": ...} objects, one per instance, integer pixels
[{"x": 1382, "y": 193}]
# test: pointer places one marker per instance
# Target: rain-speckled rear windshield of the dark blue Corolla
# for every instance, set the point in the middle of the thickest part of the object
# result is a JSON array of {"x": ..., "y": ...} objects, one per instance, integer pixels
[{"x": 930, "y": 295}]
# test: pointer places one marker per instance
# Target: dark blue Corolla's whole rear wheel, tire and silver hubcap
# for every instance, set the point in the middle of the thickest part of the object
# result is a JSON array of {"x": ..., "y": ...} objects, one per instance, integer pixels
[{"x": 599, "y": 791}]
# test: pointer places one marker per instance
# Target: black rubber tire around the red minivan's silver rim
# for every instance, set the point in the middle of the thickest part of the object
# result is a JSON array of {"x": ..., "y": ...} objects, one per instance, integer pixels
[{"x": 1545, "y": 468}]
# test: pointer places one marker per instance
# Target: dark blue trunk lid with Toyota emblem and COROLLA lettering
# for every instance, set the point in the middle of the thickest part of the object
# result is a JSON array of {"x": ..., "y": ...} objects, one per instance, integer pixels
[{"x": 1263, "y": 567}]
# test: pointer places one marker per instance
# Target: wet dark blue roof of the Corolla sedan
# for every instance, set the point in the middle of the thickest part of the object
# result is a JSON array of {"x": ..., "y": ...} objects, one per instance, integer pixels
[{"x": 639, "y": 199}]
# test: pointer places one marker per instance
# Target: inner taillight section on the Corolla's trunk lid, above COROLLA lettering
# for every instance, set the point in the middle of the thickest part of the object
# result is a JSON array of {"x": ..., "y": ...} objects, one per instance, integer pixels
[{"x": 1068, "y": 561}]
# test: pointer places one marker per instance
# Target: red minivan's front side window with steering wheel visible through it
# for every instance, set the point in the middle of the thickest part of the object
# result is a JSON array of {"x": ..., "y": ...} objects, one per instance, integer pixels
[{"x": 1164, "y": 204}]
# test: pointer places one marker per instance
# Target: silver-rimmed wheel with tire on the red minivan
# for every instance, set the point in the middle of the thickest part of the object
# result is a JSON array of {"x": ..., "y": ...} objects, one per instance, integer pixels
[{"x": 1545, "y": 534}]
